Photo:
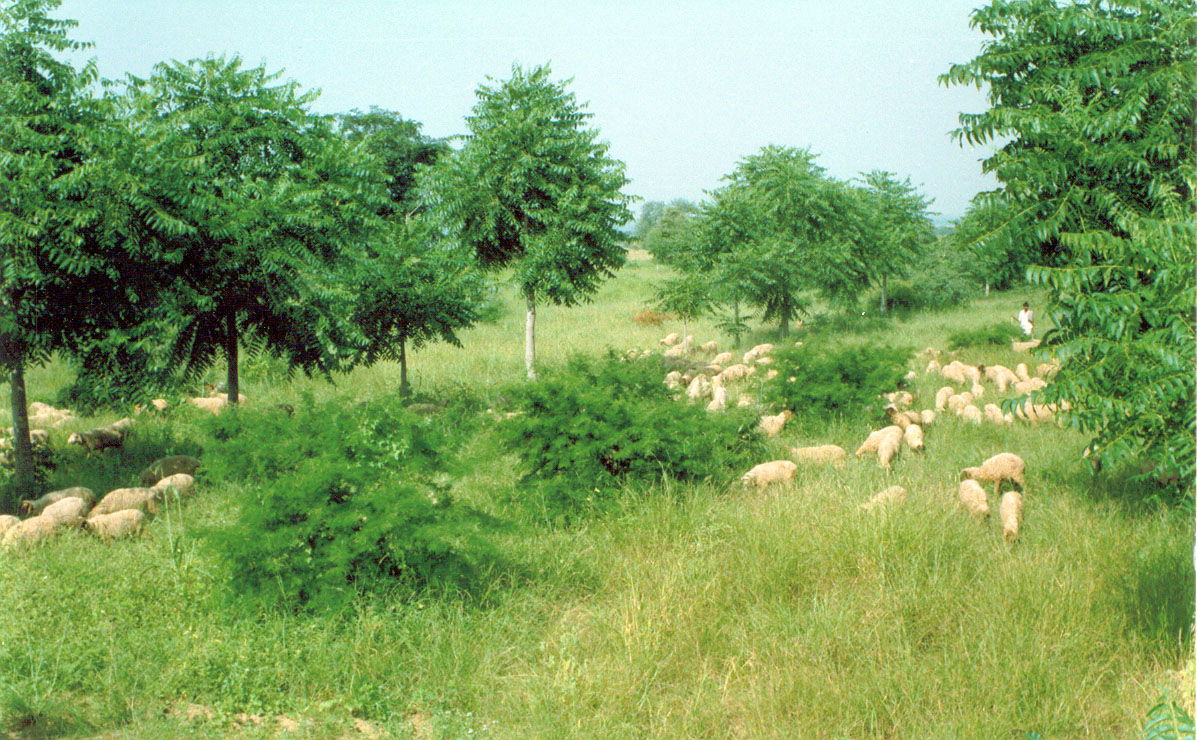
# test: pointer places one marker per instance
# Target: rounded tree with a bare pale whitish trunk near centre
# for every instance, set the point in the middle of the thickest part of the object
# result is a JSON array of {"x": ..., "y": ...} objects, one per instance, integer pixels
[{"x": 534, "y": 191}]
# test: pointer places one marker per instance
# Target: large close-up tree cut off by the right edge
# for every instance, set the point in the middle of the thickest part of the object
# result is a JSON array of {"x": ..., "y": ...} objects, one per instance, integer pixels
[{"x": 1096, "y": 102}]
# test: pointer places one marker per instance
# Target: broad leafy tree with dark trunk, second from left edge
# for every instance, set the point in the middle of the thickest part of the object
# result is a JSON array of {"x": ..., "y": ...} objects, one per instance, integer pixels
[{"x": 269, "y": 208}]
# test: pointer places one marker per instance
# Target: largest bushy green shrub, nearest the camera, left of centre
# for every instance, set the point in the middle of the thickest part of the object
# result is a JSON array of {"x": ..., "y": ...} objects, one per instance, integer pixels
[{"x": 349, "y": 500}]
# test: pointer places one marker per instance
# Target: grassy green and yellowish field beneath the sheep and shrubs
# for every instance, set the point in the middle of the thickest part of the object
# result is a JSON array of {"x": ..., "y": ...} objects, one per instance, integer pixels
[{"x": 685, "y": 612}]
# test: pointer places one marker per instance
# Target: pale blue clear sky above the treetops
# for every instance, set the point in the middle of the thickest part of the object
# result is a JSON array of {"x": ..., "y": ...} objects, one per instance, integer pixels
[{"x": 682, "y": 90}]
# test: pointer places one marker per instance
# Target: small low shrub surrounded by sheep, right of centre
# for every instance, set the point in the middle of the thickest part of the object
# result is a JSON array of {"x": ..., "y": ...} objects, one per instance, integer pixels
[{"x": 843, "y": 381}]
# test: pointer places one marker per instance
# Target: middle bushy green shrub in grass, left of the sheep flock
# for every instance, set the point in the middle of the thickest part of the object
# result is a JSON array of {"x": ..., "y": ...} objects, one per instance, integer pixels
[{"x": 599, "y": 423}]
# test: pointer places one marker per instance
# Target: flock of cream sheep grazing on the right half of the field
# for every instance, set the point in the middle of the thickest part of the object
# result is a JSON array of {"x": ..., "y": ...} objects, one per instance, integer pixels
[{"x": 721, "y": 377}]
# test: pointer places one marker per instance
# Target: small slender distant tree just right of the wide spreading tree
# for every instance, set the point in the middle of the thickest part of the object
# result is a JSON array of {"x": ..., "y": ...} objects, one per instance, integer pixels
[{"x": 898, "y": 228}]
